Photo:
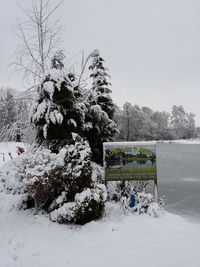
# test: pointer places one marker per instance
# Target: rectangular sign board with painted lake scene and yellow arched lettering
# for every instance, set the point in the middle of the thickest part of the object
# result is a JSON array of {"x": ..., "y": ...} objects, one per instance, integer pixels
[{"x": 130, "y": 161}]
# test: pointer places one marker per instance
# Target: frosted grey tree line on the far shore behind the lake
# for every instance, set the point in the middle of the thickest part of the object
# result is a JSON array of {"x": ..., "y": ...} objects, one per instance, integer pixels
[{"x": 142, "y": 123}]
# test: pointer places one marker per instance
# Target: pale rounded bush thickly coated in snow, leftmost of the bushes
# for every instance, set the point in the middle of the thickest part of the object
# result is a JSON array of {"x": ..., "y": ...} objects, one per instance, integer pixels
[{"x": 19, "y": 175}]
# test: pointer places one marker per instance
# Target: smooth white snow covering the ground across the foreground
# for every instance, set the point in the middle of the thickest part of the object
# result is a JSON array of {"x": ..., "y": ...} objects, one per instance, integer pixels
[{"x": 116, "y": 240}]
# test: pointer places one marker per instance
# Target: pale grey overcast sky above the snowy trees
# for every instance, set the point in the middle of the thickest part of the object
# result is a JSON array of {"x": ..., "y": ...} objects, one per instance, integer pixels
[{"x": 151, "y": 47}]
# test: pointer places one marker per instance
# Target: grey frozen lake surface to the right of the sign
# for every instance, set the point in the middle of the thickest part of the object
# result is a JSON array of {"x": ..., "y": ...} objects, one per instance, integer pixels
[{"x": 179, "y": 178}]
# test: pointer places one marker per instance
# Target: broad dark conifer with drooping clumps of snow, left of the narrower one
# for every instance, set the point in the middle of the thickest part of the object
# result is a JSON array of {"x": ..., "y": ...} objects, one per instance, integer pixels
[{"x": 57, "y": 113}]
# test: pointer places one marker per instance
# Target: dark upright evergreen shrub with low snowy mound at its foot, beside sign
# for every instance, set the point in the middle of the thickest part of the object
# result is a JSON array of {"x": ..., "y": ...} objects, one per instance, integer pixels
[{"x": 84, "y": 194}]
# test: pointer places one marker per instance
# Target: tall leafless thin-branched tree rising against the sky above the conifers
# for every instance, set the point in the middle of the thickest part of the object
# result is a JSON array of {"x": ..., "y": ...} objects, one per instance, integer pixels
[{"x": 39, "y": 36}]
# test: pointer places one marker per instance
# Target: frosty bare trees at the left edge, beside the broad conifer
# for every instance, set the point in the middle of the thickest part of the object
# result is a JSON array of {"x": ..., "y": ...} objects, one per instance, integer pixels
[{"x": 14, "y": 116}]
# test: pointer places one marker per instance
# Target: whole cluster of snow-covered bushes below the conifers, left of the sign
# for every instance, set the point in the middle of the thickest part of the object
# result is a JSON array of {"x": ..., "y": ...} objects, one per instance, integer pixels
[{"x": 58, "y": 183}]
